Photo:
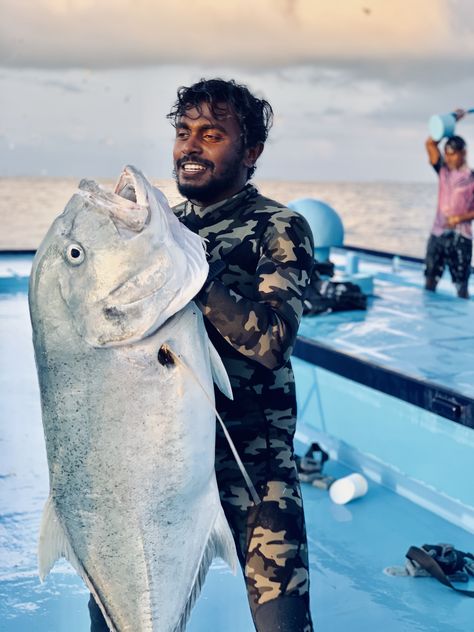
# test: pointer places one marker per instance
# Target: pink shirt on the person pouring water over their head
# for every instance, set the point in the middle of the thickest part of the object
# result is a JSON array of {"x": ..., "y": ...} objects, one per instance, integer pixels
[{"x": 455, "y": 197}]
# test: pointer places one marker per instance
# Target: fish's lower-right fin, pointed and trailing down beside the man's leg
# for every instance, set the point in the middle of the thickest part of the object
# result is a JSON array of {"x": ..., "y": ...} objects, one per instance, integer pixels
[{"x": 220, "y": 544}]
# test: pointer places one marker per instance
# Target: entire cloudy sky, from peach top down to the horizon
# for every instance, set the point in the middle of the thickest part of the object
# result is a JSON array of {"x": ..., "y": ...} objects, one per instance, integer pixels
[{"x": 85, "y": 85}]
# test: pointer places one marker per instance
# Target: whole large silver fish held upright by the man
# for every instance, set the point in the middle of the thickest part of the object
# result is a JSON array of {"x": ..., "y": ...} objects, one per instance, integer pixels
[{"x": 125, "y": 371}]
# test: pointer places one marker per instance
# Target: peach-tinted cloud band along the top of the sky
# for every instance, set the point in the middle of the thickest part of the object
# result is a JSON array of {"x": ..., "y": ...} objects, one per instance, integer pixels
[{"x": 266, "y": 33}]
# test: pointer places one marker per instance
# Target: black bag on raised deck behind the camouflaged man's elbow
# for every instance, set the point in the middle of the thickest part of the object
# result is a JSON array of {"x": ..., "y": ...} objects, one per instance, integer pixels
[{"x": 330, "y": 296}]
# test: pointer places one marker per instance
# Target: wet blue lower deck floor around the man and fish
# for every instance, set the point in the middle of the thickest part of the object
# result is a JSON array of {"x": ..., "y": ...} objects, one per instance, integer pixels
[{"x": 350, "y": 546}]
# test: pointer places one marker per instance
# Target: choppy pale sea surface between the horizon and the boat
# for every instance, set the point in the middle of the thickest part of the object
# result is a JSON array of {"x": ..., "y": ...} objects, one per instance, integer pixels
[{"x": 391, "y": 216}]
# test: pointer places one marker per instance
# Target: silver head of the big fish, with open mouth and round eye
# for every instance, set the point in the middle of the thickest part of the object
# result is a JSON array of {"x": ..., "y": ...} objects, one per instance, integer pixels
[{"x": 119, "y": 263}]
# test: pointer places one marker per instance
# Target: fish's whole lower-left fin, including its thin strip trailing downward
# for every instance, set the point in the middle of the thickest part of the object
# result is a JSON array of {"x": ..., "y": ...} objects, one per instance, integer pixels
[{"x": 53, "y": 545}]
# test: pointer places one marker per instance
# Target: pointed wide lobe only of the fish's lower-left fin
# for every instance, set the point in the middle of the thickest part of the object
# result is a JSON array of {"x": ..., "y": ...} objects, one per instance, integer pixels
[{"x": 53, "y": 542}]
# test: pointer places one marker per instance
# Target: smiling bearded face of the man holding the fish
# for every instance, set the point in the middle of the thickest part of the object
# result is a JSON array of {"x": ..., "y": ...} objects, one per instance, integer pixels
[{"x": 209, "y": 158}]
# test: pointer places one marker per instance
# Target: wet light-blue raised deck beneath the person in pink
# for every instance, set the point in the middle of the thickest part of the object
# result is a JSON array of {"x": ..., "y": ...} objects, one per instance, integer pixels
[{"x": 419, "y": 334}]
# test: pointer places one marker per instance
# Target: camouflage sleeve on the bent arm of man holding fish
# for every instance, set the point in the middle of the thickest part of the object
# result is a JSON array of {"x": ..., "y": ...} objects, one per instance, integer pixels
[{"x": 265, "y": 329}]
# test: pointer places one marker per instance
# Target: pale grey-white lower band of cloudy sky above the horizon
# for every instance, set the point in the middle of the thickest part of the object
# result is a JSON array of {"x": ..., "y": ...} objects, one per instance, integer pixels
[{"x": 326, "y": 126}]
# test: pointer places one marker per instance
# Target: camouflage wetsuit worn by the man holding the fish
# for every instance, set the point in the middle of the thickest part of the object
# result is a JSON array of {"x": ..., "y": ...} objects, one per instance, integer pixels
[{"x": 252, "y": 314}]
